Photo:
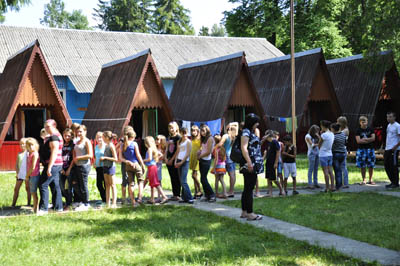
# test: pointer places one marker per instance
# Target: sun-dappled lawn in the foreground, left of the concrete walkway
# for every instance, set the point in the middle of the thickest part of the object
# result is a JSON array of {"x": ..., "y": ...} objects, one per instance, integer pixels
[{"x": 158, "y": 235}]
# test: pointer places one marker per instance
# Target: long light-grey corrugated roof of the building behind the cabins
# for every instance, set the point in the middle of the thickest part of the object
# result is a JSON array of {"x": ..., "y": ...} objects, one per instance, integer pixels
[{"x": 79, "y": 54}]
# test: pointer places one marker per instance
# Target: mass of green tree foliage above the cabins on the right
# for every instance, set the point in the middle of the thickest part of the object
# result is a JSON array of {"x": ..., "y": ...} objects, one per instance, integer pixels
[{"x": 340, "y": 27}]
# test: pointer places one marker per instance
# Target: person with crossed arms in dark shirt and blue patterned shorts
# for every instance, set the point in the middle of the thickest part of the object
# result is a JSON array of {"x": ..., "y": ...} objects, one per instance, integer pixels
[{"x": 365, "y": 156}]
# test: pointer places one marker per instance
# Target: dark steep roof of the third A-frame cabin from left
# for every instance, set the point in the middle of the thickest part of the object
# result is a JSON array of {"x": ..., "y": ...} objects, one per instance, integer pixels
[{"x": 203, "y": 91}]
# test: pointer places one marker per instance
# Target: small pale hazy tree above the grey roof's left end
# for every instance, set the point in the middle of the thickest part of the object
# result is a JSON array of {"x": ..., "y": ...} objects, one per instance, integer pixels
[{"x": 55, "y": 16}]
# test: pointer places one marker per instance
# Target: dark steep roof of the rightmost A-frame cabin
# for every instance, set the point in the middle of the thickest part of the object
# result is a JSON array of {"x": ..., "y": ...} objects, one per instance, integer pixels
[{"x": 360, "y": 78}]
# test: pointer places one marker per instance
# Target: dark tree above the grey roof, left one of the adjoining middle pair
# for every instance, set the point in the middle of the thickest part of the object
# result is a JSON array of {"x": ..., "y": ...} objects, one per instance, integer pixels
[{"x": 124, "y": 15}]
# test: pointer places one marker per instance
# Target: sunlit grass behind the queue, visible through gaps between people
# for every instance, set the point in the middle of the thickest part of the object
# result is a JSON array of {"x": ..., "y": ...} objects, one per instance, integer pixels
[{"x": 7, "y": 181}]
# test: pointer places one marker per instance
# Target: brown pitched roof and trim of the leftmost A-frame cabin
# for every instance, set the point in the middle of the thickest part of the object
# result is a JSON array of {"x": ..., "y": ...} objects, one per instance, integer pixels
[{"x": 12, "y": 85}]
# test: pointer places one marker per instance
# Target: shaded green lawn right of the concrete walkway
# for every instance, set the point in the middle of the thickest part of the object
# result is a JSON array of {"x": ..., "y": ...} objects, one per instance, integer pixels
[{"x": 367, "y": 217}]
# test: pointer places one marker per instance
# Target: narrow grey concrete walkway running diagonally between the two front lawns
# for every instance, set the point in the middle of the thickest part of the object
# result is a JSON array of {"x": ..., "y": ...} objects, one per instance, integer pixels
[{"x": 352, "y": 248}]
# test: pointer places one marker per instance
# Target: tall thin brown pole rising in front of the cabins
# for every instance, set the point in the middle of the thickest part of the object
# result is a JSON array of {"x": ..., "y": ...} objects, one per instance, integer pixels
[{"x": 293, "y": 71}]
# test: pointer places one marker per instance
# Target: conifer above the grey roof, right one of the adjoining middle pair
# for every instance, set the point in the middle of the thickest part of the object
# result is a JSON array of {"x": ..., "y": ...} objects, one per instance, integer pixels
[{"x": 170, "y": 17}]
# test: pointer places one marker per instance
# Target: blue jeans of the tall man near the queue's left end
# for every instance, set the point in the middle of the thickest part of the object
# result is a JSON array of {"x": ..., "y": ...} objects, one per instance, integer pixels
[{"x": 44, "y": 183}]
